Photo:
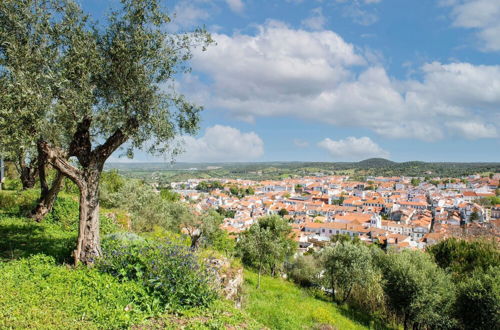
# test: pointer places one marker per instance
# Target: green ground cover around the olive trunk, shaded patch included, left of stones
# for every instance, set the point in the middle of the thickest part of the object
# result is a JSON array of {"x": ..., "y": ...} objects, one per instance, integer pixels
[{"x": 37, "y": 290}]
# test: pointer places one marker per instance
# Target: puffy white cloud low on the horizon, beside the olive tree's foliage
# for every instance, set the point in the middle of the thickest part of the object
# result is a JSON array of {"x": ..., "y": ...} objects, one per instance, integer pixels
[{"x": 222, "y": 144}]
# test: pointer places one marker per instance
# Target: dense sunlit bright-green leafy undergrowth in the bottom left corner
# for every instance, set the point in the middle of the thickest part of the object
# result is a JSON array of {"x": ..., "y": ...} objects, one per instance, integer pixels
[{"x": 37, "y": 293}]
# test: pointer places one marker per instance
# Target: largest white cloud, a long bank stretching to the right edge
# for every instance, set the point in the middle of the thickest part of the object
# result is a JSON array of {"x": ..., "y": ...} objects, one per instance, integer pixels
[{"x": 318, "y": 76}]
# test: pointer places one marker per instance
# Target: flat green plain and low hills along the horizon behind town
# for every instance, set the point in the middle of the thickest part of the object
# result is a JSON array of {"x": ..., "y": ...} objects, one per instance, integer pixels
[{"x": 165, "y": 173}]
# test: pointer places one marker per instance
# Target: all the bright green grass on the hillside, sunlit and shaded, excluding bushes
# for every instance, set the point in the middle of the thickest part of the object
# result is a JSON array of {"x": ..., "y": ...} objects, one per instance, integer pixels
[{"x": 40, "y": 289}]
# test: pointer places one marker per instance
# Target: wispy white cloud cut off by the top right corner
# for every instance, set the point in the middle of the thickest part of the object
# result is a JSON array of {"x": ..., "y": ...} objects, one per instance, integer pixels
[{"x": 481, "y": 15}]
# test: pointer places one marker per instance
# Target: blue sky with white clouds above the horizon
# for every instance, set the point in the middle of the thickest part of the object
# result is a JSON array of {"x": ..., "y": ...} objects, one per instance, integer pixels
[{"x": 335, "y": 80}]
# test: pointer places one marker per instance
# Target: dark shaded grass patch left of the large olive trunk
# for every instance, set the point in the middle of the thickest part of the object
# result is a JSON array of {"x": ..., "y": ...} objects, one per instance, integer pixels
[{"x": 20, "y": 237}]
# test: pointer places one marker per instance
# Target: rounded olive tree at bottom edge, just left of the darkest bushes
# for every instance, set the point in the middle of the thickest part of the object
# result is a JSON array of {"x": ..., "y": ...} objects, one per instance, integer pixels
[{"x": 419, "y": 292}]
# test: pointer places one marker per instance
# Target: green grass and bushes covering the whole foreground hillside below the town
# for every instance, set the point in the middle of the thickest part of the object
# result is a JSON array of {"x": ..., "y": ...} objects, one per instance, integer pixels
[{"x": 156, "y": 276}]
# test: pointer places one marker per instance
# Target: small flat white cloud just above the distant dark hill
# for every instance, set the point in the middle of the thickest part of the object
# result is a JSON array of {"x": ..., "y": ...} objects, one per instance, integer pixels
[{"x": 352, "y": 148}]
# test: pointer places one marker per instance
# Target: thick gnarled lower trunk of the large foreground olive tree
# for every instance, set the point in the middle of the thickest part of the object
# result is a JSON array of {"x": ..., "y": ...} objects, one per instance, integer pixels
[{"x": 88, "y": 247}]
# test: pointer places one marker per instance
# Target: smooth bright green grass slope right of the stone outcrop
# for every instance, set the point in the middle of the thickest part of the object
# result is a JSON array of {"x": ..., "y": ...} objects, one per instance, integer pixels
[{"x": 280, "y": 304}]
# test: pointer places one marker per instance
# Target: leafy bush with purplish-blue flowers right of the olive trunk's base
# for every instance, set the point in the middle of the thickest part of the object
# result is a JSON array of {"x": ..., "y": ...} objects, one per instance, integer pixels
[{"x": 170, "y": 272}]
